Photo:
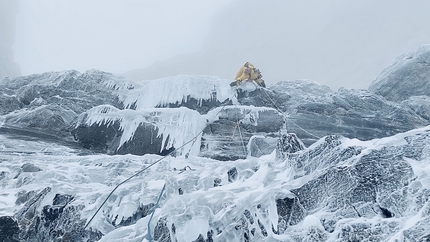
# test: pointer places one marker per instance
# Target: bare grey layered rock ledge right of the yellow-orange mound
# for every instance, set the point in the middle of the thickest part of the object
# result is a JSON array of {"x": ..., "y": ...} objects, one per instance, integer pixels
[{"x": 312, "y": 111}]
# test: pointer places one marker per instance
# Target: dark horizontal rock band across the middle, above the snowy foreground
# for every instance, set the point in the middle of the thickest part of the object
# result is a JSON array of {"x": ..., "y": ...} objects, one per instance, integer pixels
[{"x": 59, "y": 104}]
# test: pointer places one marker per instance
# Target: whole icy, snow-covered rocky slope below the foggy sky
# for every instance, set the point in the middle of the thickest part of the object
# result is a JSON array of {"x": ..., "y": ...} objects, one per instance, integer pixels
[{"x": 293, "y": 162}]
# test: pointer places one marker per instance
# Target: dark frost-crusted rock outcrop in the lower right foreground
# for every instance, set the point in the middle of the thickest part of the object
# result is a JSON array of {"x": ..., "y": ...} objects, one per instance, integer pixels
[{"x": 366, "y": 184}]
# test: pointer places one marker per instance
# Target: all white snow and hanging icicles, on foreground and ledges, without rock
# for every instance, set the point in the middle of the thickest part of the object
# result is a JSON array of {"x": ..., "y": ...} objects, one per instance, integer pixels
[{"x": 200, "y": 205}]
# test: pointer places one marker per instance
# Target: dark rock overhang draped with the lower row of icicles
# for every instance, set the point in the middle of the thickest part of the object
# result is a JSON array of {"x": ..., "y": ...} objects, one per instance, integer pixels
[{"x": 138, "y": 131}]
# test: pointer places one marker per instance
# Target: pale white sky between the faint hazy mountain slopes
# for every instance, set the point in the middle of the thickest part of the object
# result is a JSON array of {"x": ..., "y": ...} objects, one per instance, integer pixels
[{"x": 114, "y": 36}]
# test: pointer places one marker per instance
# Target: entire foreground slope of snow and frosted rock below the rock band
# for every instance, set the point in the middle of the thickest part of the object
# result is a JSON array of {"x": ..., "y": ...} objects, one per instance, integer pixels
[{"x": 338, "y": 189}]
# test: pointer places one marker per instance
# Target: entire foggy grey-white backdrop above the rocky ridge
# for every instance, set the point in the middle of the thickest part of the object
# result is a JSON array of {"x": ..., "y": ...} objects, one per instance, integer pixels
[{"x": 333, "y": 42}]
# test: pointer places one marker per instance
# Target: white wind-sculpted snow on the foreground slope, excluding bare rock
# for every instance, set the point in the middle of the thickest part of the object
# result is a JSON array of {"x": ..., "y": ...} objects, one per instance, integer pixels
[{"x": 90, "y": 178}]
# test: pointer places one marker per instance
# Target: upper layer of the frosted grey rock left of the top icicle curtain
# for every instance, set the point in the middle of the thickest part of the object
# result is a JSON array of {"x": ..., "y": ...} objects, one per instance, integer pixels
[{"x": 71, "y": 89}]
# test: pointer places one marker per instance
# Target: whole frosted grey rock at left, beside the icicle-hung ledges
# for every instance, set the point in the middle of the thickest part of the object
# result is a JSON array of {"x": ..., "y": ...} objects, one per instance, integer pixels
[{"x": 44, "y": 105}]
